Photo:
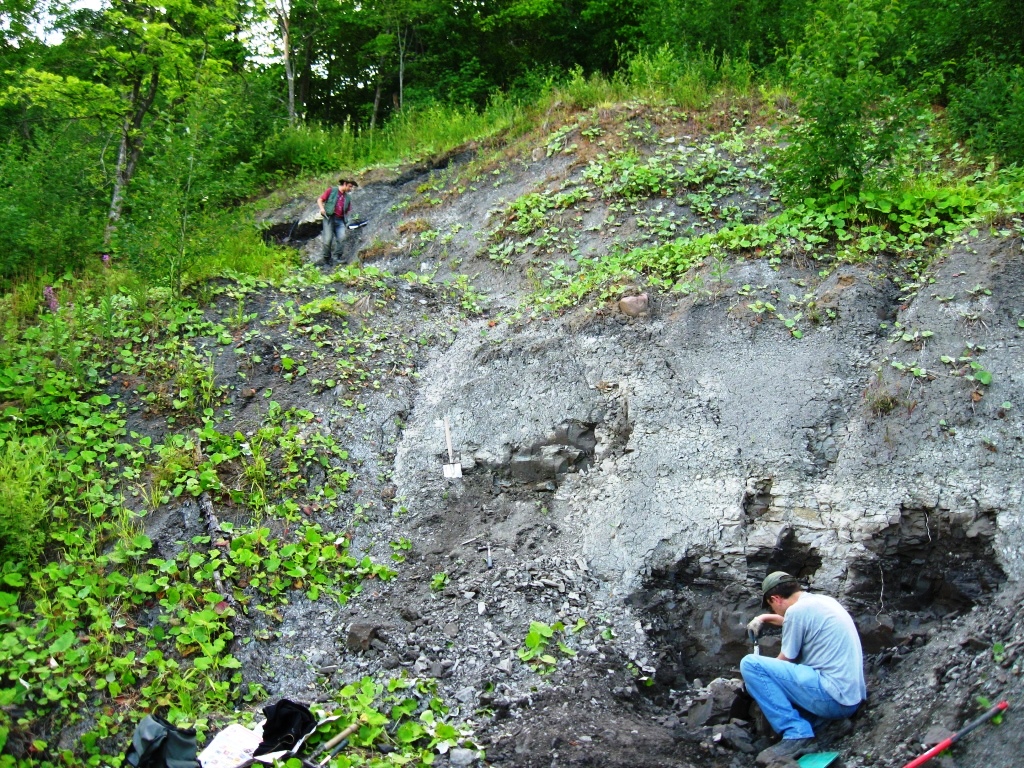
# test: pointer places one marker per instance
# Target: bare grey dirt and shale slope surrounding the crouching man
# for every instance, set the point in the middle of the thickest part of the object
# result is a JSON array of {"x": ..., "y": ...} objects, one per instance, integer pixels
[{"x": 643, "y": 474}]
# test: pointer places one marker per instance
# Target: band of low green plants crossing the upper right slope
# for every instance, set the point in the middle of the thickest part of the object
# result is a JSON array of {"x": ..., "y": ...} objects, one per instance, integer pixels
[{"x": 949, "y": 196}]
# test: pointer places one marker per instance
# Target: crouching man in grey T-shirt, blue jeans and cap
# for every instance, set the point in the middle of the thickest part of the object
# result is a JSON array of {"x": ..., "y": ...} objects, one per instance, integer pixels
[{"x": 819, "y": 675}]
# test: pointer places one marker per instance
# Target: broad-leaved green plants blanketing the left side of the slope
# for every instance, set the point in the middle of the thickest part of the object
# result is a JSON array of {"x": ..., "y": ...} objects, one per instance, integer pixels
[{"x": 98, "y": 625}]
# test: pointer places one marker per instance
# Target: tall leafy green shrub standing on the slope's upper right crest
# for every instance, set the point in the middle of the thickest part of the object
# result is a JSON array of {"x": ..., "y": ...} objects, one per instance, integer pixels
[{"x": 855, "y": 115}]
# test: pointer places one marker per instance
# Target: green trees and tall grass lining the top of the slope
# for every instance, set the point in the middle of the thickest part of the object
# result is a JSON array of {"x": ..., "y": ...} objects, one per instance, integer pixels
[{"x": 395, "y": 78}]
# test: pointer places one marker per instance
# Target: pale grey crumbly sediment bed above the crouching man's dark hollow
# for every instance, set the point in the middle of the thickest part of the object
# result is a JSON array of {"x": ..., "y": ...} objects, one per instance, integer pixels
[{"x": 724, "y": 443}]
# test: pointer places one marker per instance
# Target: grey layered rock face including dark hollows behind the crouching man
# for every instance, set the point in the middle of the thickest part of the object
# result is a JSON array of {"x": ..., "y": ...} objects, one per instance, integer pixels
[{"x": 695, "y": 448}]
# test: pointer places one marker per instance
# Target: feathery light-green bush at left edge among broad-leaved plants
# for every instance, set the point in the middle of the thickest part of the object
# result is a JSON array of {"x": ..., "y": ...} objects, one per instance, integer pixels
[{"x": 25, "y": 485}]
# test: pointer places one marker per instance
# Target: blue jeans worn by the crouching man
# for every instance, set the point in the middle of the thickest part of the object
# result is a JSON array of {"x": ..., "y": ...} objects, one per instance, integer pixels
[{"x": 788, "y": 693}]
